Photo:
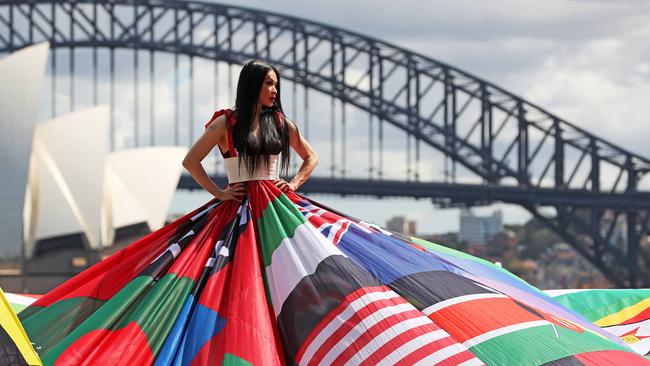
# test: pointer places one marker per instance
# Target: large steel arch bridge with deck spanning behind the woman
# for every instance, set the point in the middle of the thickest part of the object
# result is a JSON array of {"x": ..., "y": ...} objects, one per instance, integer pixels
[{"x": 385, "y": 115}]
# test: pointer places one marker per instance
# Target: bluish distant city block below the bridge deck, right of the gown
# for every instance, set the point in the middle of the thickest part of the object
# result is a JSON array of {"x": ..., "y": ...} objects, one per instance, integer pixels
[{"x": 478, "y": 230}]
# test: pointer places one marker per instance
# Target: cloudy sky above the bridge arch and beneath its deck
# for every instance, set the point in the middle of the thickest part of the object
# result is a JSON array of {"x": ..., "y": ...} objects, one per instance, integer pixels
[{"x": 587, "y": 61}]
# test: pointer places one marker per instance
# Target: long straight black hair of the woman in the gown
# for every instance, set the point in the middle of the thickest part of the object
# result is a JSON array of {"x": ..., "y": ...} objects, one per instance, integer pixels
[{"x": 273, "y": 138}]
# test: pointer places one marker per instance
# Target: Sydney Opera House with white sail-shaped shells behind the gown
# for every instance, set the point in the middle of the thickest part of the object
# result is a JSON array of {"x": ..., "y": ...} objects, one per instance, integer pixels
[{"x": 66, "y": 199}]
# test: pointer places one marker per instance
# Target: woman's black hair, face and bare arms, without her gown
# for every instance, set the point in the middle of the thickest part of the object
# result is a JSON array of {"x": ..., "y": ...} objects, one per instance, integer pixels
[{"x": 259, "y": 129}]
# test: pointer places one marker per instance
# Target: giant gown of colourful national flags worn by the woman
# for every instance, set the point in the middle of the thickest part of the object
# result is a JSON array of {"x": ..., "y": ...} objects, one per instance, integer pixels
[{"x": 281, "y": 279}]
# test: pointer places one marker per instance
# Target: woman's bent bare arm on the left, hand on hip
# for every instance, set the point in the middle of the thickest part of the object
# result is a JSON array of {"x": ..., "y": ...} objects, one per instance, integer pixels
[{"x": 214, "y": 134}]
